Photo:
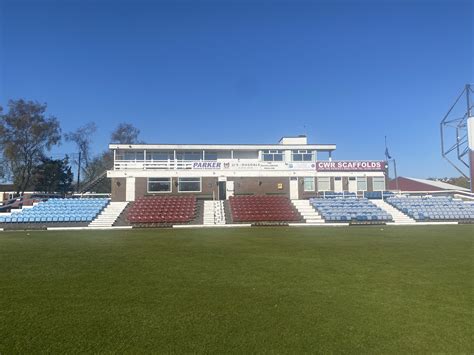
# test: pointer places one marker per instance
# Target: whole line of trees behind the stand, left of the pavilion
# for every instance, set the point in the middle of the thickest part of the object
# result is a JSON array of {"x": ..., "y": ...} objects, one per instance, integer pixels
[{"x": 28, "y": 134}]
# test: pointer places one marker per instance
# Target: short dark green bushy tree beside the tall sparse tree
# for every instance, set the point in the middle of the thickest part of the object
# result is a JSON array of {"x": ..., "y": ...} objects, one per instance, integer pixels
[{"x": 53, "y": 175}]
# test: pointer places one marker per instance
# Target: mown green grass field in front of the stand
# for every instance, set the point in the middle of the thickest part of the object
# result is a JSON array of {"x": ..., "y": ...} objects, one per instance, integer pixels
[{"x": 285, "y": 290}]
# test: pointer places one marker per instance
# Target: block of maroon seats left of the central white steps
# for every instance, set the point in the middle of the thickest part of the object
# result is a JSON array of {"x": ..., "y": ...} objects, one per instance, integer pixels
[{"x": 163, "y": 209}]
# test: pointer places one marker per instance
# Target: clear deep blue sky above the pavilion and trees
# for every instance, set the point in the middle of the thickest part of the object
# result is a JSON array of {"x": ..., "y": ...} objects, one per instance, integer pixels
[{"x": 344, "y": 72}]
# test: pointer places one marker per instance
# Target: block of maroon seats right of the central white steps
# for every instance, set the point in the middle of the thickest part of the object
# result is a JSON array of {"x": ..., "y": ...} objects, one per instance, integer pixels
[{"x": 263, "y": 209}]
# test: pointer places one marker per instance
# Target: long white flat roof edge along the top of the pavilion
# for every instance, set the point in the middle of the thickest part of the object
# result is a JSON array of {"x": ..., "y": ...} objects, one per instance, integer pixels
[{"x": 322, "y": 147}]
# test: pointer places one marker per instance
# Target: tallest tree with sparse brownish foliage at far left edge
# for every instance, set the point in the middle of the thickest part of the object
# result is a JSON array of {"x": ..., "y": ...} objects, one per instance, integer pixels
[{"x": 26, "y": 134}]
